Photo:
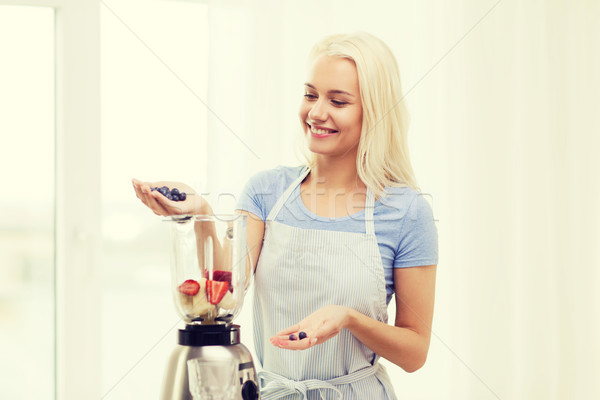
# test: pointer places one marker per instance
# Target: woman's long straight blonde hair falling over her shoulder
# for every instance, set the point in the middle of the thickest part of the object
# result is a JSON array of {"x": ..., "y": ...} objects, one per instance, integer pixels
[{"x": 382, "y": 158}]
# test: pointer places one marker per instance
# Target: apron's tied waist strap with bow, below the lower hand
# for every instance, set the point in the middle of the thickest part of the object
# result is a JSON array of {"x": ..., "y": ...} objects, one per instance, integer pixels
[{"x": 278, "y": 386}]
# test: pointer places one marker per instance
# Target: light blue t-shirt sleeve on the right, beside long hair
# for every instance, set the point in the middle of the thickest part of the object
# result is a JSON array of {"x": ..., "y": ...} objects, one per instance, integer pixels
[{"x": 418, "y": 236}]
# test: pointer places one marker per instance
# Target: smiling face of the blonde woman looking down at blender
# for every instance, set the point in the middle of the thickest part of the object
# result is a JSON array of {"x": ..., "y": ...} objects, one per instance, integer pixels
[{"x": 331, "y": 111}]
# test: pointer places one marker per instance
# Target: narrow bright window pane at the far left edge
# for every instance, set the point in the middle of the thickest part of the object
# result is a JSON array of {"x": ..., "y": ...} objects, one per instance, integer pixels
[{"x": 27, "y": 239}]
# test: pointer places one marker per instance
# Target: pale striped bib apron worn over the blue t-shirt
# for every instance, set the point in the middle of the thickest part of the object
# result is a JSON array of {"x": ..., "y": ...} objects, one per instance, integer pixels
[{"x": 300, "y": 271}]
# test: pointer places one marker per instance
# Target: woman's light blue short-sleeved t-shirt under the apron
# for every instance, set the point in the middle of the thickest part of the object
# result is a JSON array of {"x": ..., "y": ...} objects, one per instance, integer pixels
[{"x": 404, "y": 223}]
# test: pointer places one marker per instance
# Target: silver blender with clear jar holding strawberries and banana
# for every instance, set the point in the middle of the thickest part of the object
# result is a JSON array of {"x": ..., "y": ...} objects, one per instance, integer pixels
[{"x": 210, "y": 272}]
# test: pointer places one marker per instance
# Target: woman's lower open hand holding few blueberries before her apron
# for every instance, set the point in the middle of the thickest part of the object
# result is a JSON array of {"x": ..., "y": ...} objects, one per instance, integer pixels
[{"x": 319, "y": 327}]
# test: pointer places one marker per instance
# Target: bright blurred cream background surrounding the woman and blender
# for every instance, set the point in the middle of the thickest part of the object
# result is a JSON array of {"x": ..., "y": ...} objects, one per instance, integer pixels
[{"x": 504, "y": 137}]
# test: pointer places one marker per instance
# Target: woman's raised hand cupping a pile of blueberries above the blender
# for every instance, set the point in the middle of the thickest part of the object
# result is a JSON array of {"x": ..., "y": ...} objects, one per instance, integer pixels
[{"x": 160, "y": 205}]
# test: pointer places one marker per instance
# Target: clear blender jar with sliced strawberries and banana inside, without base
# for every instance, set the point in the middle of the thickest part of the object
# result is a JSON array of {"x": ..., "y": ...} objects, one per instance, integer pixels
[{"x": 210, "y": 266}]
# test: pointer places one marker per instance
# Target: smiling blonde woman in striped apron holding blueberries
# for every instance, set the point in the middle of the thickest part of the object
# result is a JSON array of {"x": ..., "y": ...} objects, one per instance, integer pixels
[{"x": 334, "y": 240}]
